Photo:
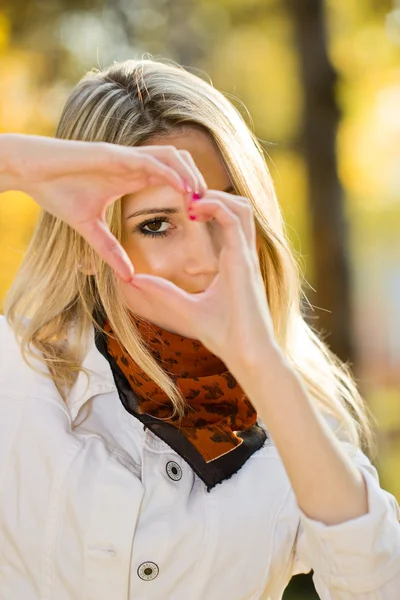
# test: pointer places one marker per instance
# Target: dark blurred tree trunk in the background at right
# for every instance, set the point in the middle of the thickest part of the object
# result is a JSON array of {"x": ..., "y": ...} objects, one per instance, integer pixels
[{"x": 326, "y": 198}]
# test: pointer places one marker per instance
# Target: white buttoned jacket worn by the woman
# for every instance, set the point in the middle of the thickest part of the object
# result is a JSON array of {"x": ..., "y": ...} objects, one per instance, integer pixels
[{"x": 108, "y": 511}]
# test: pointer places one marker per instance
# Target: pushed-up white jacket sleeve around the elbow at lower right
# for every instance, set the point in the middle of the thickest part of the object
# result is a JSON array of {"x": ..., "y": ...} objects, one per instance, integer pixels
[{"x": 358, "y": 559}]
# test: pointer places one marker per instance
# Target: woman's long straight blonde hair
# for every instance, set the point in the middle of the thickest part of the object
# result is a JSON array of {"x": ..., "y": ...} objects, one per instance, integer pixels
[{"x": 133, "y": 103}]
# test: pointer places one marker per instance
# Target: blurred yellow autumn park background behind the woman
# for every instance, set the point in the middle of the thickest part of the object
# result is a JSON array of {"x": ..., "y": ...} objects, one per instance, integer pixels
[{"x": 319, "y": 83}]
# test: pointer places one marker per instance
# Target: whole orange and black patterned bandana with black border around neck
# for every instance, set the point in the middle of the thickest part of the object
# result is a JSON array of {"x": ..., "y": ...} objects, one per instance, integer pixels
[{"x": 219, "y": 422}]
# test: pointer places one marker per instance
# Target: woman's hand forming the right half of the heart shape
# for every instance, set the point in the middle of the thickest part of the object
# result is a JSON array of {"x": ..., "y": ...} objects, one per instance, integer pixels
[{"x": 231, "y": 317}]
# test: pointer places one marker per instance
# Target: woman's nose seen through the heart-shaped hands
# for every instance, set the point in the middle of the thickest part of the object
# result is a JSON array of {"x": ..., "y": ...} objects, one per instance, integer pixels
[{"x": 201, "y": 250}]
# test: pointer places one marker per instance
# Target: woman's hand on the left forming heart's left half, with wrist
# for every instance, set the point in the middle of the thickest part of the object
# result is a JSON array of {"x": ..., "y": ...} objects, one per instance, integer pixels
[{"x": 75, "y": 181}]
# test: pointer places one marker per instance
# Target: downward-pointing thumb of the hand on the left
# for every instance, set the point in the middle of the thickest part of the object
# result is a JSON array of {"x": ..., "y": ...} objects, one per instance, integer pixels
[{"x": 98, "y": 235}]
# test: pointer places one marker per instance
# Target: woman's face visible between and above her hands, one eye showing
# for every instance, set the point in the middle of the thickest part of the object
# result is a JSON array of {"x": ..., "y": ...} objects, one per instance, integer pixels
[{"x": 166, "y": 242}]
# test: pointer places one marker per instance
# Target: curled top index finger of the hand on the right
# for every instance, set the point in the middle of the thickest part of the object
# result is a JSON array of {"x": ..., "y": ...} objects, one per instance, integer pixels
[{"x": 238, "y": 205}]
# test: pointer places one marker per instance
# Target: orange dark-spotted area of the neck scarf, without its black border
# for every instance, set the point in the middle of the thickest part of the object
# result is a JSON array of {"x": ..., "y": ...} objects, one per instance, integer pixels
[{"x": 218, "y": 407}]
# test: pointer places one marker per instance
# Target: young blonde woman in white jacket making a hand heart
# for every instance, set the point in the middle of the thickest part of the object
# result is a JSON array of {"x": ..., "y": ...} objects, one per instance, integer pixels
[{"x": 171, "y": 428}]
